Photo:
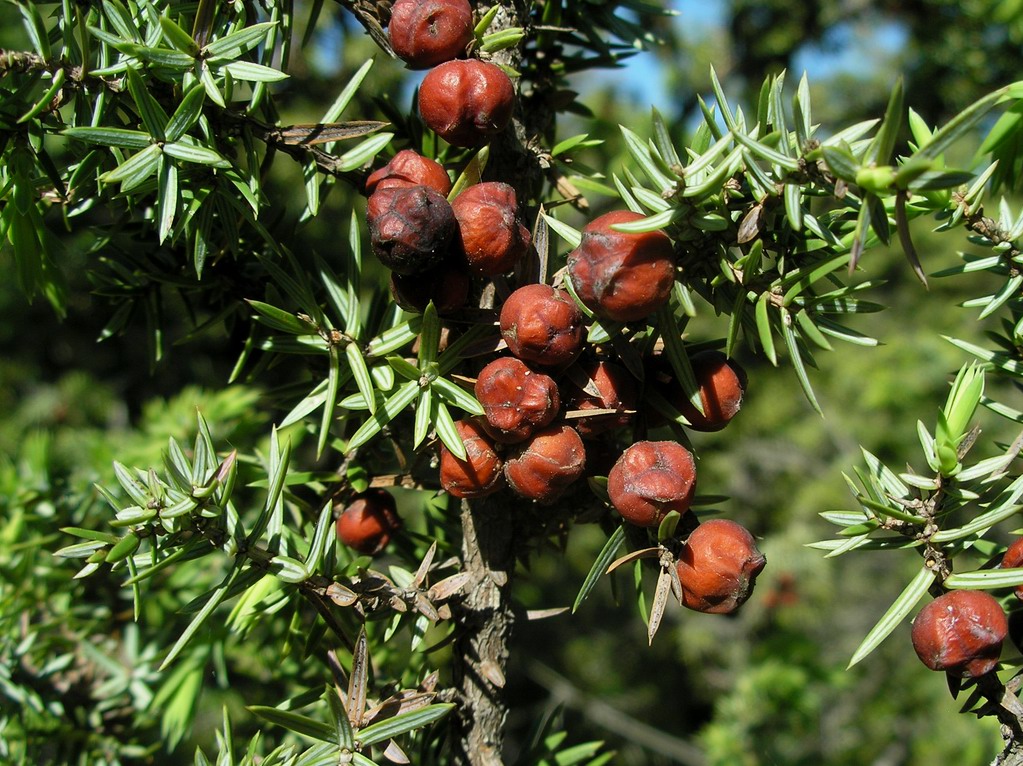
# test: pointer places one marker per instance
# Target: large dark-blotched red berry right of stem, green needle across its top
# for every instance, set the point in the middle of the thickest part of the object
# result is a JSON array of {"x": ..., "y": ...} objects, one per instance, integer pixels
[{"x": 619, "y": 276}]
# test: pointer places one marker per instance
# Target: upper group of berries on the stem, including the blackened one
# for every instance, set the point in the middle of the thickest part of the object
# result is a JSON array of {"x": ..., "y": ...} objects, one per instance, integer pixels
[{"x": 433, "y": 247}]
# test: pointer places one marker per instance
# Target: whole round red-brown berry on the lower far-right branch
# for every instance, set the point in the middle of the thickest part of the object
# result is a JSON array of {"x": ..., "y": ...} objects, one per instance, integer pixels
[{"x": 961, "y": 633}]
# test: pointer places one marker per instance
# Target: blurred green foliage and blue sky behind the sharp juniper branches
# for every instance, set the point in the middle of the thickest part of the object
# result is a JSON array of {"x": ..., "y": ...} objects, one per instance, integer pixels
[{"x": 769, "y": 687}]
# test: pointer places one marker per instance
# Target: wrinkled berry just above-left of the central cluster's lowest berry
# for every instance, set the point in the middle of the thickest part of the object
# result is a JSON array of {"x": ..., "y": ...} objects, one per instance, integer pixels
[{"x": 651, "y": 480}]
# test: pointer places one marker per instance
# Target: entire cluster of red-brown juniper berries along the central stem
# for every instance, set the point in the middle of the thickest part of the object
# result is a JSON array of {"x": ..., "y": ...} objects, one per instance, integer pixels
[{"x": 550, "y": 397}]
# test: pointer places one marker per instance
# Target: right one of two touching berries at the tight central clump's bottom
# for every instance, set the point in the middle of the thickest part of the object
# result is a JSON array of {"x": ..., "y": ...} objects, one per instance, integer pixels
[{"x": 545, "y": 466}]
